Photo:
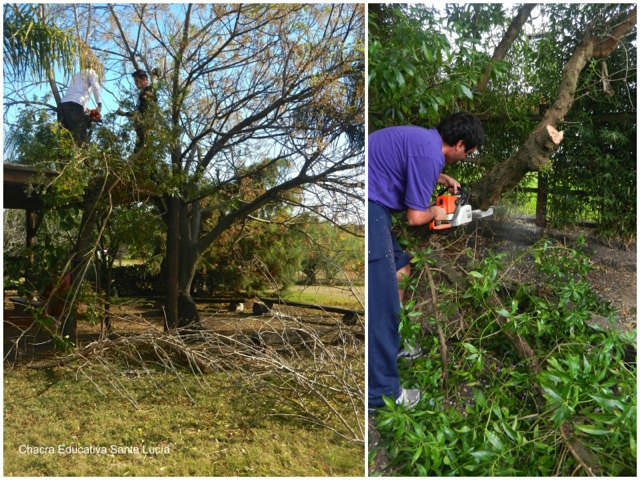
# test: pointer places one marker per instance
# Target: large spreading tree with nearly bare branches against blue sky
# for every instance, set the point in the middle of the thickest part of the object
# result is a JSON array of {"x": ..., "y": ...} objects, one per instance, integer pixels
[{"x": 248, "y": 88}]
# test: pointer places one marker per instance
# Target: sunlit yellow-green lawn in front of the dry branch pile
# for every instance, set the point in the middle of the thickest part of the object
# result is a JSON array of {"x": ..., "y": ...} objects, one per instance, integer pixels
[{"x": 219, "y": 431}]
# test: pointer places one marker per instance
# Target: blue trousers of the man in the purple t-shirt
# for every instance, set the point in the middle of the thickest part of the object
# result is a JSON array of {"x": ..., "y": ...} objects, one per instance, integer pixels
[{"x": 383, "y": 305}]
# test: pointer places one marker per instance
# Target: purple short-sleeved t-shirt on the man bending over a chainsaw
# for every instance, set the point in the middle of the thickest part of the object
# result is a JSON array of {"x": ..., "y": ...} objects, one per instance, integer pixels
[{"x": 403, "y": 166}]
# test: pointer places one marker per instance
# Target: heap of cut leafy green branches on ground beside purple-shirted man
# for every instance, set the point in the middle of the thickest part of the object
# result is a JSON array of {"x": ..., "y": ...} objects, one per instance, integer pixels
[{"x": 501, "y": 416}]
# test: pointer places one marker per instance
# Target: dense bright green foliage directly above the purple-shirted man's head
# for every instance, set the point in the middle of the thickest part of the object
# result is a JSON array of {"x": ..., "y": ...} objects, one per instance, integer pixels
[{"x": 415, "y": 71}]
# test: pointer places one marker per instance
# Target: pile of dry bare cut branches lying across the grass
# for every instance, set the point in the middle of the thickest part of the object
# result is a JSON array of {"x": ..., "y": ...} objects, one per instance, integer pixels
[{"x": 313, "y": 376}]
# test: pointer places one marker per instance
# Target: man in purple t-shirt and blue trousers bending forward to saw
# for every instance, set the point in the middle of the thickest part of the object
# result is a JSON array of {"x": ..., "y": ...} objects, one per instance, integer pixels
[{"x": 404, "y": 166}]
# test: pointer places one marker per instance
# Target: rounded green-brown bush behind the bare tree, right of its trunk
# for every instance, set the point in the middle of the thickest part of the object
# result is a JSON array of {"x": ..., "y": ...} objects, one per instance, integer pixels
[{"x": 262, "y": 255}]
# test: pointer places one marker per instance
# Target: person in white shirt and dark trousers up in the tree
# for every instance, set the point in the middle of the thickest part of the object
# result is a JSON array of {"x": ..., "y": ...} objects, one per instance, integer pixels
[{"x": 72, "y": 111}]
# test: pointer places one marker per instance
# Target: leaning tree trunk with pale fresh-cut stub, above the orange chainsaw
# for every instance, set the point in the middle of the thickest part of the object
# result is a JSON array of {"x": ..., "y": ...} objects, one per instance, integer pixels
[{"x": 534, "y": 154}]
